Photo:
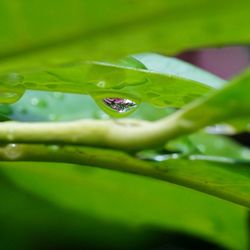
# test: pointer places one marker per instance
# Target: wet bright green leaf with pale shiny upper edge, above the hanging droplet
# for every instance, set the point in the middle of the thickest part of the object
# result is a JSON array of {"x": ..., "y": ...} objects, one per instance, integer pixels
[{"x": 96, "y": 78}]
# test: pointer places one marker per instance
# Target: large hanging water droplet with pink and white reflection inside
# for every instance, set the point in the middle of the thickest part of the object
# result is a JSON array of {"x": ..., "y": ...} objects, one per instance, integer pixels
[{"x": 116, "y": 104}]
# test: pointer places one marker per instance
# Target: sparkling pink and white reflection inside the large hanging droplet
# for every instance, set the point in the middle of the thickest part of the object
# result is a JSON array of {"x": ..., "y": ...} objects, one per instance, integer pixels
[{"x": 119, "y": 104}]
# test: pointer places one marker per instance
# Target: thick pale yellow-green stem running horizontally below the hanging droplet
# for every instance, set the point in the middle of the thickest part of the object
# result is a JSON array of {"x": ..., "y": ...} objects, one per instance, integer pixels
[{"x": 120, "y": 134}]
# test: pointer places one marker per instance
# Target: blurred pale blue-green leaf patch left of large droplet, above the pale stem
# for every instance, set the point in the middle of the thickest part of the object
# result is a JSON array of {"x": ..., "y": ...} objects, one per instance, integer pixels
[{"x": 54, "y": 106}]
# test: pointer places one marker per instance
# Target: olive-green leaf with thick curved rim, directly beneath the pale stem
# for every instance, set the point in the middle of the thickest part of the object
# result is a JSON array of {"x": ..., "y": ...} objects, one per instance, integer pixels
[{"x": 201, "y": 172}]
